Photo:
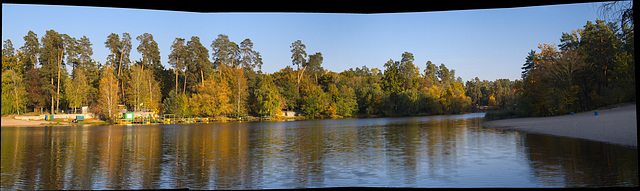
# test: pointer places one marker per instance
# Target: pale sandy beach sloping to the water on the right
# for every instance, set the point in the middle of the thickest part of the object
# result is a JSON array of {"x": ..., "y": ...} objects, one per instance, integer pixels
[{"x": 616, "y": 125}]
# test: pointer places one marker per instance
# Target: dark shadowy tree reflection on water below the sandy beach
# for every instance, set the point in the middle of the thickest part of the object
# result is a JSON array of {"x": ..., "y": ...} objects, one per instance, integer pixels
[{"x": 564, "y": 165}]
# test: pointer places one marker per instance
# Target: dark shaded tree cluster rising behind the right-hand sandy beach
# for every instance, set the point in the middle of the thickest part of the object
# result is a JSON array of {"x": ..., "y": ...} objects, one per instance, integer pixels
[{"x": 591, "y": 67}]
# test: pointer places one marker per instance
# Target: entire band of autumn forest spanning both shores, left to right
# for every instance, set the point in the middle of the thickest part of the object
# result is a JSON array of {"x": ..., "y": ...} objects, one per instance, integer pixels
[{"x": 592, "y": 67}]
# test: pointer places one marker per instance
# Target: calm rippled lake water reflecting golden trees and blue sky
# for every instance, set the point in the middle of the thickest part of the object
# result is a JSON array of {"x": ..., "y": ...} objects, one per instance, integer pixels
[{"x": 436, "y": 151}]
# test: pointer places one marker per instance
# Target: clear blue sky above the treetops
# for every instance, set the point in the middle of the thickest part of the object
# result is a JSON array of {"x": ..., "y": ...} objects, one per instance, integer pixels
[{"x": 487, "y": 43}]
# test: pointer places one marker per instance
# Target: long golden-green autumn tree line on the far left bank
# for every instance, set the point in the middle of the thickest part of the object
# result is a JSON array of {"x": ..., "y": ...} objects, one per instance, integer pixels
[{"x": 230, "y": 83}]
